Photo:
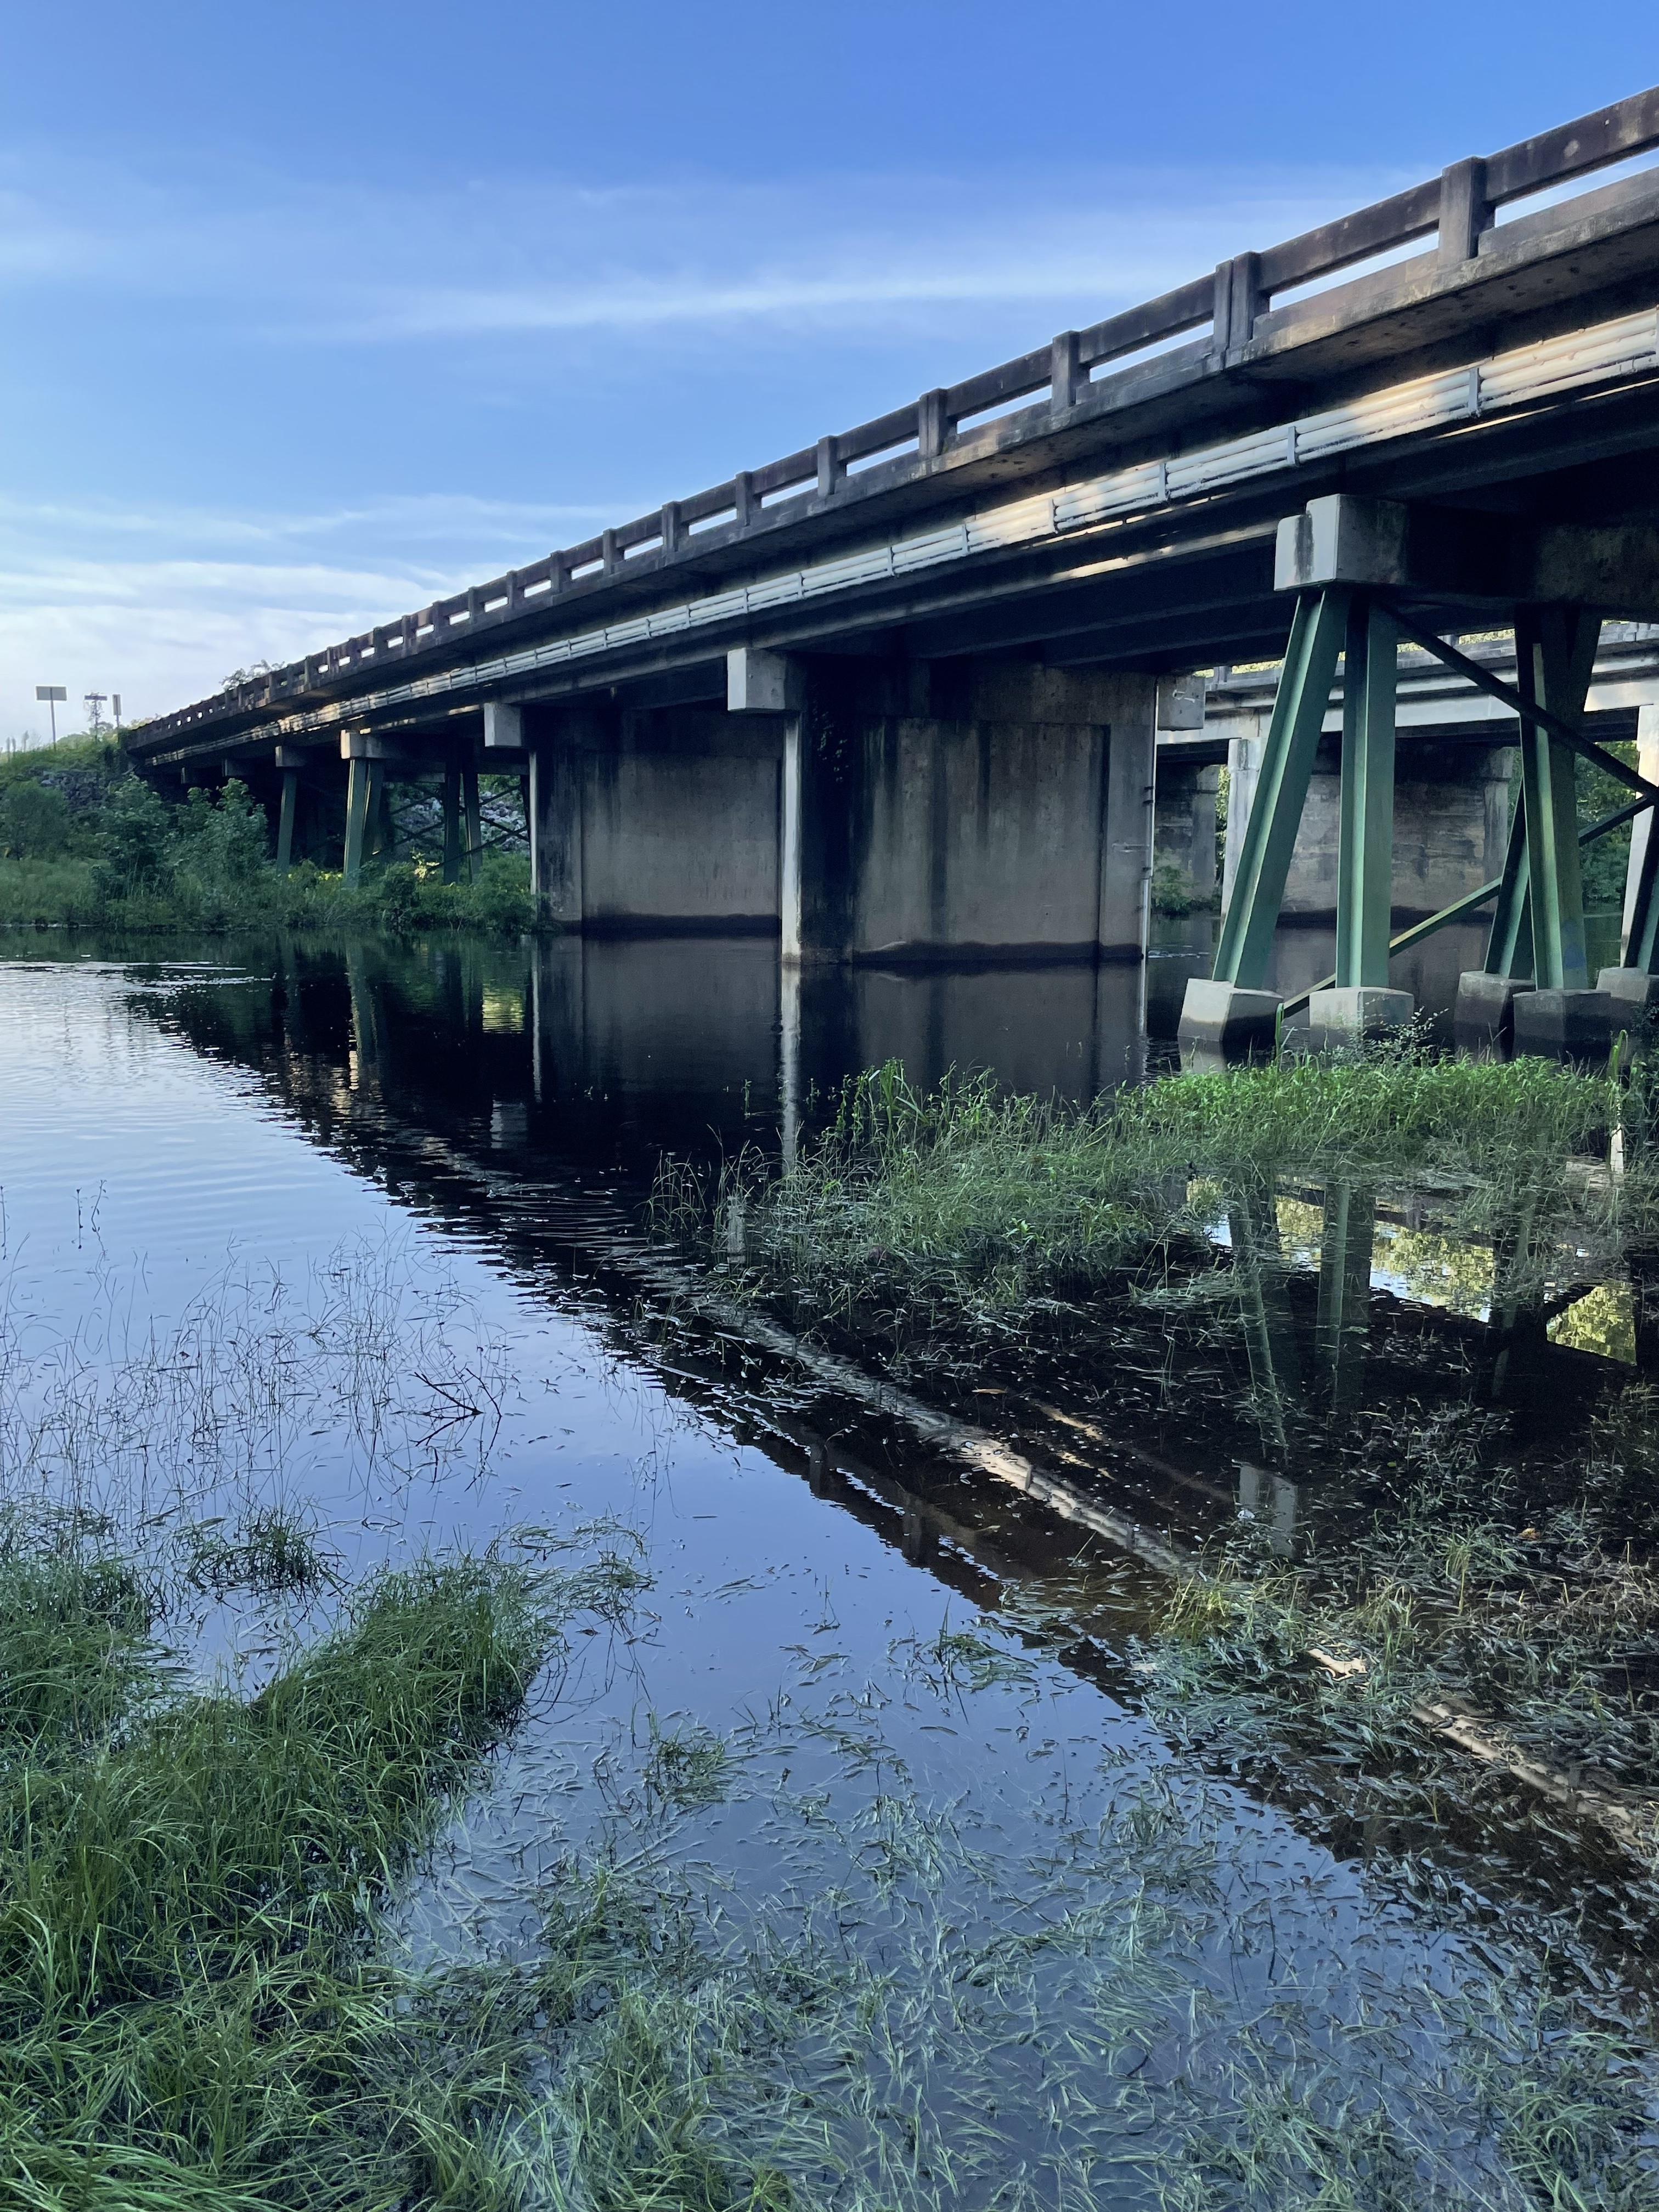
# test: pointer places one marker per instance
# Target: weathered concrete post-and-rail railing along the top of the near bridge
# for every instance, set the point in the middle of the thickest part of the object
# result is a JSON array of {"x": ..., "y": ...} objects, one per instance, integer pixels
[{"x": 1258, "y": 302}]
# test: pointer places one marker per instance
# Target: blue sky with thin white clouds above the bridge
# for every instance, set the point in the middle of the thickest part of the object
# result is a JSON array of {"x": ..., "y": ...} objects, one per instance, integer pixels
[{"x": 320, "y": 311}]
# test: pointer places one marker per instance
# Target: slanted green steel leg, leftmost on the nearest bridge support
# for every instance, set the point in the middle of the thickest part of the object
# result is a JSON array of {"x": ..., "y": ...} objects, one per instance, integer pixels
[{"x": 1282, "y": 789}]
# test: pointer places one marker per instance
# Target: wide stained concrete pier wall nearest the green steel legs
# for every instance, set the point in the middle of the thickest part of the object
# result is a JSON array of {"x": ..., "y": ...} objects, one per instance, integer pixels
[{"x": 966, "y": 811}]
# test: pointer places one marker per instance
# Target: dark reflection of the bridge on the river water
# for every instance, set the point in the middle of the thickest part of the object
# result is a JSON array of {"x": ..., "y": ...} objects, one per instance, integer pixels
[{"x": 490, "y": 1087}]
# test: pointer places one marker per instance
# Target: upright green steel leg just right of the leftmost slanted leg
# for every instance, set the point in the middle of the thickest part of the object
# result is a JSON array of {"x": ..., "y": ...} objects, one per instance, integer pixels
[{"x": 1366, "y": 842}]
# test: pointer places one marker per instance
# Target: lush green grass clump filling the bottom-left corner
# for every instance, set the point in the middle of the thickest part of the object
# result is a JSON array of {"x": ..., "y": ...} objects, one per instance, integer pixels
[{"x": 194, "y": 2001}]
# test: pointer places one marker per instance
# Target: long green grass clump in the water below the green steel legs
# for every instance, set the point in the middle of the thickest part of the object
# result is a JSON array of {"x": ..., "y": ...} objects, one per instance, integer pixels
[{"x": 966, "y": 1202}]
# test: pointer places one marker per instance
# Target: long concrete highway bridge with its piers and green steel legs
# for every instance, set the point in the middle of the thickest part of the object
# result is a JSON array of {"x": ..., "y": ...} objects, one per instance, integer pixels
[{"x": 897, "y": 696}]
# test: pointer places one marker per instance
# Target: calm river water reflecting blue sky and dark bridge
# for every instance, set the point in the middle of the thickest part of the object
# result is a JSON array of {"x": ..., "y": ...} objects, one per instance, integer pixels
[{"x": 359, "y": 1231}]
